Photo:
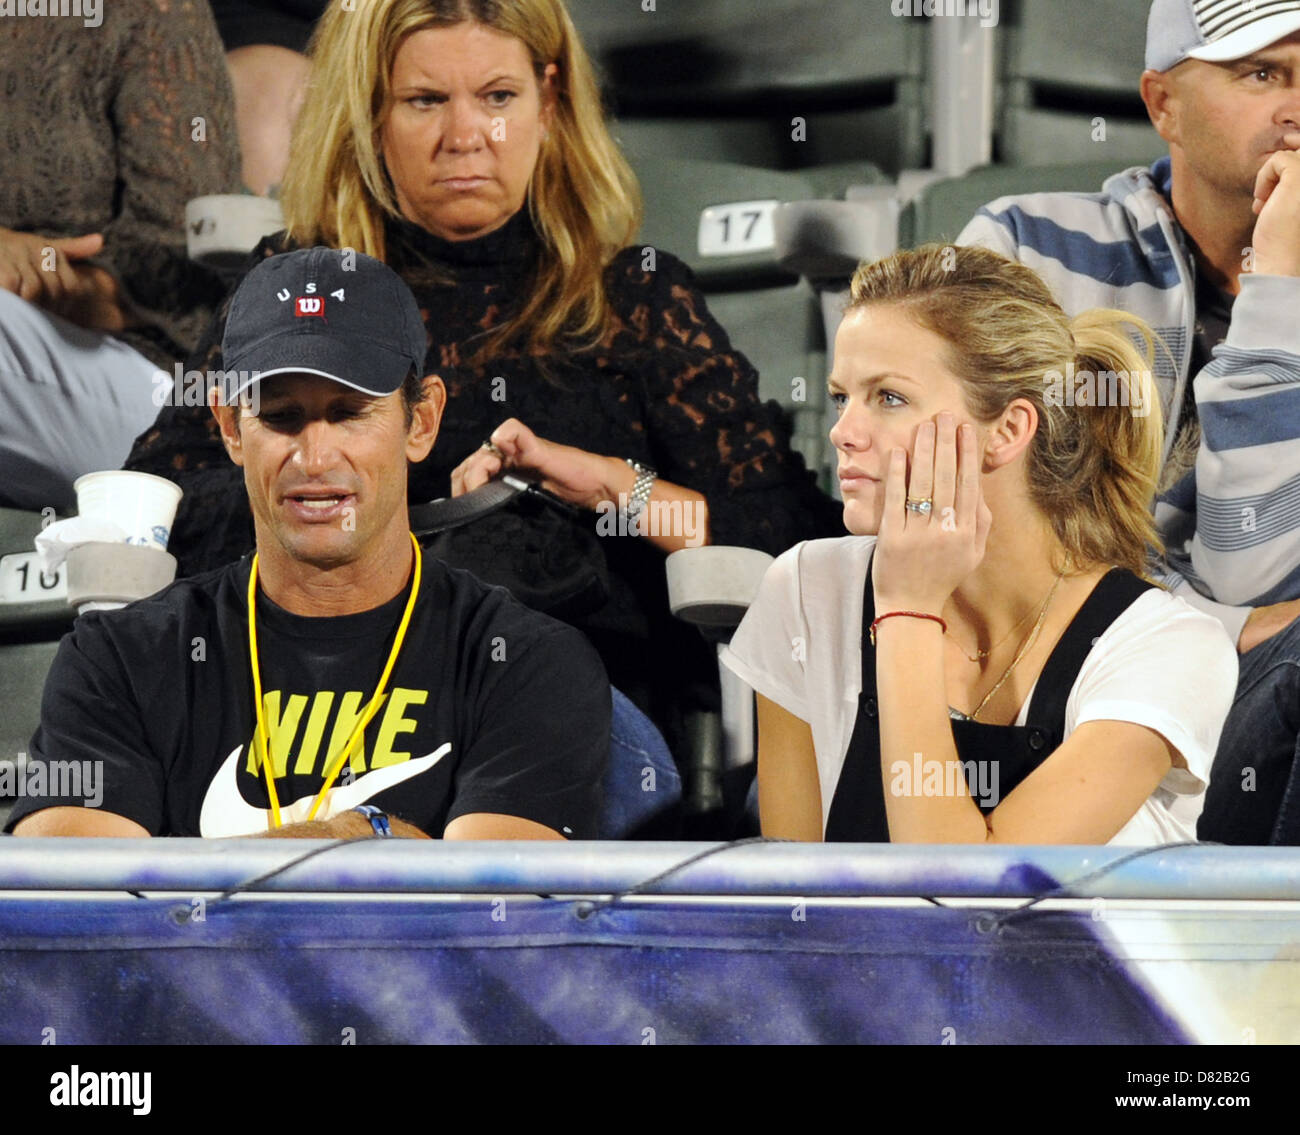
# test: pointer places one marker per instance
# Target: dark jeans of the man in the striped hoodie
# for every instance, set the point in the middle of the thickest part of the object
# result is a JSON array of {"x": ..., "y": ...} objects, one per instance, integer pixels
[{"x": 1255, "y": 789}]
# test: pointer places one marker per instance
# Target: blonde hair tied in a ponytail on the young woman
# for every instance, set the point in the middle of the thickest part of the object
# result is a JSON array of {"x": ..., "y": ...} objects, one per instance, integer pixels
[{"x": 1094, "y": 463}]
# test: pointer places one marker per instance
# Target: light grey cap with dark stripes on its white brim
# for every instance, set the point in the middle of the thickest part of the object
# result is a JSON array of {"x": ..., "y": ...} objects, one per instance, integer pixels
[{"x": 1216, "y": 31}]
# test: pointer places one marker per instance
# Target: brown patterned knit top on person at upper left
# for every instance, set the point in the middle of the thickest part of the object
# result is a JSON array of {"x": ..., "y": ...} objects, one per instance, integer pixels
[{"x": 112, "y": 129}]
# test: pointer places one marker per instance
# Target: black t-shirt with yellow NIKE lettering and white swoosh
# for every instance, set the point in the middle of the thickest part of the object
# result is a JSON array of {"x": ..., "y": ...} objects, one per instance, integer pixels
[{"x": 491, "y": 708}]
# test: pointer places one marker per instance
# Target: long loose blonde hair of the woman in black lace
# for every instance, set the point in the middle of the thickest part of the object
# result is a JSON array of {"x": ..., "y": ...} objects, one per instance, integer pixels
[{"x": 583, "y": 197}]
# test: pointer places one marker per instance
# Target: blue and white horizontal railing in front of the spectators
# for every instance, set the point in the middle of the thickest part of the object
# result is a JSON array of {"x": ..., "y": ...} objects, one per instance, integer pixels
[{"x": 749, "y": 869}]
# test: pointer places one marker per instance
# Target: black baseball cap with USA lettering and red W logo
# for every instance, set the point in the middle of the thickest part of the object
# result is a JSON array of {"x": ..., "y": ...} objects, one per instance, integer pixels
[{"x": 323, "y": 311}]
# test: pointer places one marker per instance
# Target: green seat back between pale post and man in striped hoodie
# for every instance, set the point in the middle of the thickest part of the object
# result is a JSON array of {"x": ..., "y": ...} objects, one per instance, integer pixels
[{"x": 1064, "y": 67}]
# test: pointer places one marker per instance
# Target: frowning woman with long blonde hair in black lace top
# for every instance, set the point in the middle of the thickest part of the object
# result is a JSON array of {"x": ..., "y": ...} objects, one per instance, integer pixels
[{"x": 492, "y": 187}]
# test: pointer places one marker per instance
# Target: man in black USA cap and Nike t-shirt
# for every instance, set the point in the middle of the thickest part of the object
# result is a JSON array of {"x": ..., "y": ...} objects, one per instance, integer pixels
[{"x": 337, "y": 683}]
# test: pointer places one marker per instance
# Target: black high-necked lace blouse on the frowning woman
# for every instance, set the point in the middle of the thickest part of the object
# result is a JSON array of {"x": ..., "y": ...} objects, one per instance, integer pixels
[{"x": 665, "y": 388}]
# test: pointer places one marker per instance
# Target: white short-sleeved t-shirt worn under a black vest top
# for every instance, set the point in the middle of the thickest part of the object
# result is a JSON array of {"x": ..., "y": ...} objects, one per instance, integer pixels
[{"x": 1163, "y": 665}]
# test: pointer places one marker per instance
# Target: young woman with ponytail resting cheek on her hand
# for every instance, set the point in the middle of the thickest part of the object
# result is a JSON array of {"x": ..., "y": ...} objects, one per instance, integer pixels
[{"x": 1026, "y": 685}]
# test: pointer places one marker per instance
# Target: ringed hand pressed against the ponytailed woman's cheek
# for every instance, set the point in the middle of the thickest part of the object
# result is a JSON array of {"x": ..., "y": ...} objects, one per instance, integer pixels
[{"x": 921, "y": 560}]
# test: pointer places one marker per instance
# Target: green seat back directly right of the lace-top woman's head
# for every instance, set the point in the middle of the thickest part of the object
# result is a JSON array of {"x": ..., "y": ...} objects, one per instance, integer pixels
[{"x": 727, "y": 80}]
